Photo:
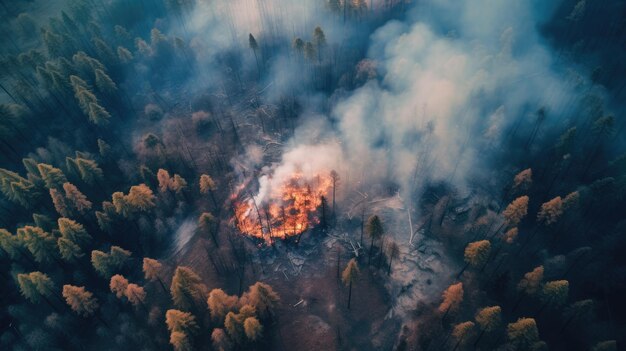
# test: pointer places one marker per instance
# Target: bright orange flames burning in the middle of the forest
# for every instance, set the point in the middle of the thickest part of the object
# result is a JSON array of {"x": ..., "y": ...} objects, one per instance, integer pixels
[{"x": 286, "y": 209}]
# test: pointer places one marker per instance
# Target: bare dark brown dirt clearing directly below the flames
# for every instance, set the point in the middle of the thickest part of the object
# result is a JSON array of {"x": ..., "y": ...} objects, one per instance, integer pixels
[{"x": 313, "y": 313}]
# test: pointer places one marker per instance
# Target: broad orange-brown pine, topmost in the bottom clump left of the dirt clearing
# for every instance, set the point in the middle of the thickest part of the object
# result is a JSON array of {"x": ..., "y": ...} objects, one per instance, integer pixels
[{"x": 187, "y": 288}]
